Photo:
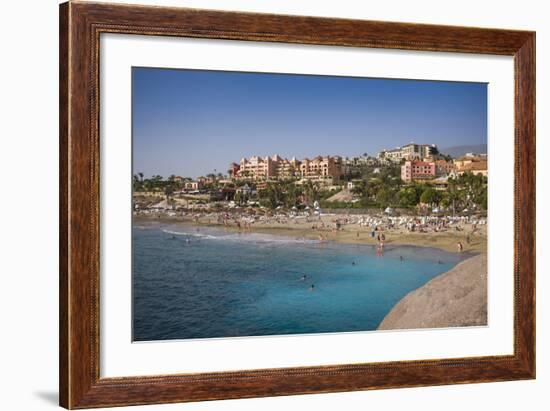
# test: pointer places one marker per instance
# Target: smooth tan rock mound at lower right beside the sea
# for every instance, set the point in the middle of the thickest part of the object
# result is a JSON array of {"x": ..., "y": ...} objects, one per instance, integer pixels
[{"x": 453, "y": 299}]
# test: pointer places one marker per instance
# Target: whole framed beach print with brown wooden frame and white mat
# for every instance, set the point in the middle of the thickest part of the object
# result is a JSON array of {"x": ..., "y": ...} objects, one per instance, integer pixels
[{"x": 258, "y": 205}]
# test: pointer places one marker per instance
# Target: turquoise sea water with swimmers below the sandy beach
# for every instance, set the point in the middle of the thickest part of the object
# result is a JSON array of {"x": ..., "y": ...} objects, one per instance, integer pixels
[{"x": 191, "y": 282}]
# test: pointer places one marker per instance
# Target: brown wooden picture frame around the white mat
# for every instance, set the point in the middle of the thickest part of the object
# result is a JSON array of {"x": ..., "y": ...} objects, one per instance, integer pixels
[{"x": 80, "y": 27}]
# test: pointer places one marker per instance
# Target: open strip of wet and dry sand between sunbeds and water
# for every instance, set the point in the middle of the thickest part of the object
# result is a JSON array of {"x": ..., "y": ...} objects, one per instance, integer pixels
[{"x": 446, "y": 241}]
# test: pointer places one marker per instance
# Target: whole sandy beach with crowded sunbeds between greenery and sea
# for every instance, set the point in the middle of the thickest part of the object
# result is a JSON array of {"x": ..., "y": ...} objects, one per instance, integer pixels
[{"x": 352, "y": 229}]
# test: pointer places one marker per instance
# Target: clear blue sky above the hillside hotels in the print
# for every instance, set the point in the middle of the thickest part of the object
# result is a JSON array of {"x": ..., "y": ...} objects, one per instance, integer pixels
[{"x": 192, "y": 122}]
